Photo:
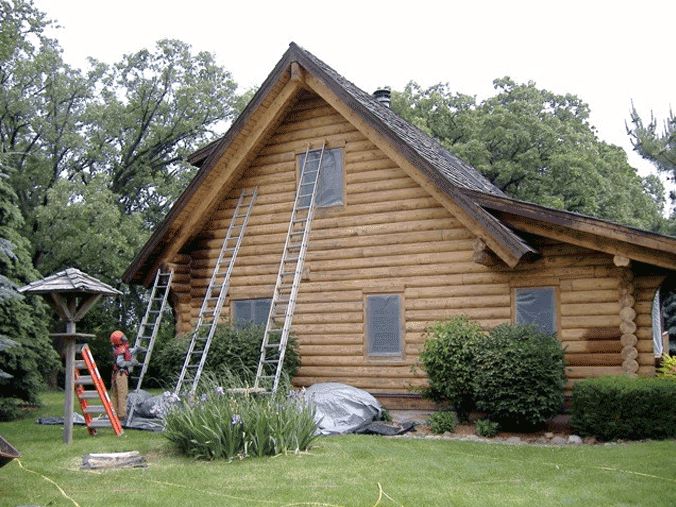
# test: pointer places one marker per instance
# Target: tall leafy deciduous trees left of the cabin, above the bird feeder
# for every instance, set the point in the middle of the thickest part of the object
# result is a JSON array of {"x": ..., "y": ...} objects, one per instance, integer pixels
[{"x": 97, "y": 154}]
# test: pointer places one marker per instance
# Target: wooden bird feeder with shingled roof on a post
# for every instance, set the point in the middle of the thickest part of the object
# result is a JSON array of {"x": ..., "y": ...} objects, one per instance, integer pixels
[{"x": 72, "y": 294}]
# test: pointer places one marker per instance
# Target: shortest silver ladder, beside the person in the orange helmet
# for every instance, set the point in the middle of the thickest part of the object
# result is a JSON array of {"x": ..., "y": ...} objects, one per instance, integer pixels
[{"x": 148, "y": 329}]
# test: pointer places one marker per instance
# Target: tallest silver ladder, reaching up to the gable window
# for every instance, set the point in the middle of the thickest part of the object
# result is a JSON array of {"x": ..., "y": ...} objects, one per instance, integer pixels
[{"x": 289, "y": 276}]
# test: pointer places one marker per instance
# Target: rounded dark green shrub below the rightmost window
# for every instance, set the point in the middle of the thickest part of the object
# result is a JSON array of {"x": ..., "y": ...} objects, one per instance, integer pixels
[{"x": 519, "y": 376}]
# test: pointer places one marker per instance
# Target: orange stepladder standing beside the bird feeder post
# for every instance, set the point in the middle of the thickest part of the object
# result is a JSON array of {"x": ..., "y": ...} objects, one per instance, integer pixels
[{"x": 99, "y": 392}]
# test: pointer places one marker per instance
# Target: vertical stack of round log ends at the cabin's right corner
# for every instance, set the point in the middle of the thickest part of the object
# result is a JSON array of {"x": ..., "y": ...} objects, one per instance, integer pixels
[{"x": 627, "y": 314}]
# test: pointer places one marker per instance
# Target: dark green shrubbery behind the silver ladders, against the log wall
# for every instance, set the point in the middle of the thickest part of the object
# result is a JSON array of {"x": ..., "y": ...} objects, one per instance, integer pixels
[{"x": 232, "y": 349}]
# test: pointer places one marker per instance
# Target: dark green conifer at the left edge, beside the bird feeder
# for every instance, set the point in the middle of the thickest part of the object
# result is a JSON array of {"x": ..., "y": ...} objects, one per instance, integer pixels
[{"x": 26, "y": 354}]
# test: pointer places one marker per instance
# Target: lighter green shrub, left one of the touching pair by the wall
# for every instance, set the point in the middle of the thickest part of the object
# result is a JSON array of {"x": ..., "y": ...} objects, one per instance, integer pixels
[{"x": 447, "y": 358}]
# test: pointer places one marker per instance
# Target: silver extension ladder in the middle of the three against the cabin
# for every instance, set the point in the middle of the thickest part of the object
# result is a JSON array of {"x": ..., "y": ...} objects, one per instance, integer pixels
[{"x": 216, "y": 293}]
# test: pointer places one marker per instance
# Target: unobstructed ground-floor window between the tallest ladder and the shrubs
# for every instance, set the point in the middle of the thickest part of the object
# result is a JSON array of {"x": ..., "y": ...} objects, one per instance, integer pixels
[{"x": 384, "y": 325}]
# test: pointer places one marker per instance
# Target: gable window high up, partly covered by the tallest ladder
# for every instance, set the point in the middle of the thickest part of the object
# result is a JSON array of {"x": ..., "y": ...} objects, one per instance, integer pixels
[{"x": 330, "y": 189}]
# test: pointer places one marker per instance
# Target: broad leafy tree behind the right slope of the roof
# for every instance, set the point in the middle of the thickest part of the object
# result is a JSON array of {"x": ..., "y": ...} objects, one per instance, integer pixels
[{"x": 537, "y": 146}]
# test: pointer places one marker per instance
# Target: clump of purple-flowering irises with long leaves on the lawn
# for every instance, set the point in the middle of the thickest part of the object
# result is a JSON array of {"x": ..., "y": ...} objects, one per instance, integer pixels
[{"x": 222, "y": 425}]
